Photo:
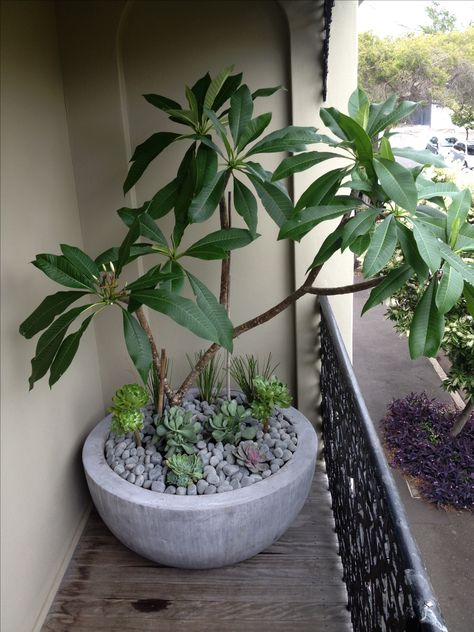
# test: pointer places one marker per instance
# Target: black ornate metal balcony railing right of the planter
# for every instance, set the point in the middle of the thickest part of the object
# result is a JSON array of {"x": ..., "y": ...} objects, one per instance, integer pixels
[{"x": 387, "y": 584}]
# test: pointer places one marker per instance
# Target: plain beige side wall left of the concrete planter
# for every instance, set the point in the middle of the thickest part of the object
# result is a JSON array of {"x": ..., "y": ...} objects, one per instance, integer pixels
[{"x": 43, "y": 490}]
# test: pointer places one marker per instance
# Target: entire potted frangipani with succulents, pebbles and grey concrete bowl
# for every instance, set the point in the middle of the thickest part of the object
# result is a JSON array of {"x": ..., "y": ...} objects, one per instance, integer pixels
[{"x": 221, "y": 520}]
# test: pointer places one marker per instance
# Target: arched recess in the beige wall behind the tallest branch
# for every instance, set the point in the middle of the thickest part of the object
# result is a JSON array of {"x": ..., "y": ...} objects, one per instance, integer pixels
[{"x": 165, "y": 46}]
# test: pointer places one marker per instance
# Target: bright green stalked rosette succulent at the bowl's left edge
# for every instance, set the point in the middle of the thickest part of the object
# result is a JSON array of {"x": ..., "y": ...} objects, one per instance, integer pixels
[{"x": 126, "y": 413}]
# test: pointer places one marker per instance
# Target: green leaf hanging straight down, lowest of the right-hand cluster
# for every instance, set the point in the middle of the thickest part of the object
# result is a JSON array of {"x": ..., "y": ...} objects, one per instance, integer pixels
[{"x": 427, "y": 327}]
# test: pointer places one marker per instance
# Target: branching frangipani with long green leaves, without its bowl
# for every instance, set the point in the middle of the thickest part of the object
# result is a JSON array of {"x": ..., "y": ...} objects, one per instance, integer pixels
[{"x": 389, "y": 206}]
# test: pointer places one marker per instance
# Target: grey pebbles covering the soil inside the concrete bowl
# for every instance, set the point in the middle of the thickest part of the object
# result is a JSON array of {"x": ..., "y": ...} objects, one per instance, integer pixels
[{"x": 146, "y": 467}]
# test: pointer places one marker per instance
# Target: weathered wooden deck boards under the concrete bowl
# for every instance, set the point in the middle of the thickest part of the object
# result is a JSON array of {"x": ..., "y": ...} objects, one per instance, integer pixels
[{"x": 294, "y": 586}]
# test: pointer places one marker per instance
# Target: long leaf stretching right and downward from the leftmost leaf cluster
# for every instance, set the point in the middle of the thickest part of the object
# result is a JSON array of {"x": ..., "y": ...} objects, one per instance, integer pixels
[{"x": 180, "y": 309}]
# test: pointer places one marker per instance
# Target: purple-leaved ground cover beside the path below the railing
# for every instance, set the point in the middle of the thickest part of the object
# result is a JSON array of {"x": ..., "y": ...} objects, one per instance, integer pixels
[{"x": 416, "y": 431}]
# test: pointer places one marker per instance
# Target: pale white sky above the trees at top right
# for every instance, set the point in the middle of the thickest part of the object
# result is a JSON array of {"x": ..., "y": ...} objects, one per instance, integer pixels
[{"x": 398, "y": 17}]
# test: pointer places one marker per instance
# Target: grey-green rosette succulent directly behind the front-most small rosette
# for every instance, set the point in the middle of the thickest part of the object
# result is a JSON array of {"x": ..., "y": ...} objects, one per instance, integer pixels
[{"x": 177, "y": 431}]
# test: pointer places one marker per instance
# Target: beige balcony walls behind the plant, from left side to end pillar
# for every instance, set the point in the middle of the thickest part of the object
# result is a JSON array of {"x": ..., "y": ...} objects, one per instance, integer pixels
[{"x": 70, "y": 116}]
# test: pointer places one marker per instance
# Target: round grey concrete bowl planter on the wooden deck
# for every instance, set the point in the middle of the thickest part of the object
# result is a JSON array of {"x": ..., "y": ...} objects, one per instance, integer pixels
[{"x": 208, "y": 531}]
